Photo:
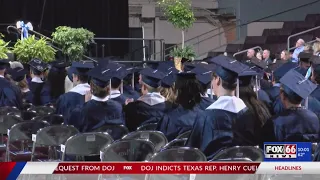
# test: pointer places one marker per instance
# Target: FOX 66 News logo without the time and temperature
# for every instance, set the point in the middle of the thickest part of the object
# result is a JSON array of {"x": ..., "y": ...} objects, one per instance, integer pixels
[{"x": 283, "y": 151}]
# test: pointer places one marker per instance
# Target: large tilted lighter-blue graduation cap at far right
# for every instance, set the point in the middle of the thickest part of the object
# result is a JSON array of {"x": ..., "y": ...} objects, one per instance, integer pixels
[{"x": 293, "y": 83}]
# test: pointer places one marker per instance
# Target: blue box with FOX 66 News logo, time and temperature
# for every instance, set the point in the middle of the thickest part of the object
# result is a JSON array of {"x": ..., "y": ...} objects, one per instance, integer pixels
[{"x": 287, "y": 151}]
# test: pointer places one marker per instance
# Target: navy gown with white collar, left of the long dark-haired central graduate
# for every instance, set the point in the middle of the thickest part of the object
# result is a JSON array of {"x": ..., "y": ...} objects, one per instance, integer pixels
[{"x": 147, "y": 109}]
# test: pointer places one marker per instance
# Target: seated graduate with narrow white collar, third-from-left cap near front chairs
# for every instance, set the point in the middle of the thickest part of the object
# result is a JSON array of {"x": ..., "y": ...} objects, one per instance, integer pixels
[{"x": 98, "y": 110}]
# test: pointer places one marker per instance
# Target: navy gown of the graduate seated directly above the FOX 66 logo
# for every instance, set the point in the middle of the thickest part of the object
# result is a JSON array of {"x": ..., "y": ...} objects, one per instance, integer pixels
[{"x": 293, "y": 125}]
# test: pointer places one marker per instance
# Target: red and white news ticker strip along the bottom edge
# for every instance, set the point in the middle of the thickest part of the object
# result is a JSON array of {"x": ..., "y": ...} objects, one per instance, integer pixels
[{"x": 12, "y": 170}]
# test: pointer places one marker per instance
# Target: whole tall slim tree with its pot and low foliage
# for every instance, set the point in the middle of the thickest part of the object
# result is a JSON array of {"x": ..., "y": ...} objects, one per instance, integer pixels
[{"x": 179, "y": 13}]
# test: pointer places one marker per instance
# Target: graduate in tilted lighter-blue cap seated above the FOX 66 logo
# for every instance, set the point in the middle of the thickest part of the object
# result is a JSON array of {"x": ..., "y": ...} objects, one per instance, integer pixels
[{"x": 295, "y": 124}]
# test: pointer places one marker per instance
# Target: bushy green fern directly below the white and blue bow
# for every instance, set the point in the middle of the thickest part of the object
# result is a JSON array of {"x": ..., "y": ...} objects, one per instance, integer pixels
[{"x": 30, "y": 48}]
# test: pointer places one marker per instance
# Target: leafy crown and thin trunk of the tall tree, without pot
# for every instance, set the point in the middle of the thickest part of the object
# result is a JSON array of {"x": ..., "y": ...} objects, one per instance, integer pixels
[{"x": 179, "y": 13}]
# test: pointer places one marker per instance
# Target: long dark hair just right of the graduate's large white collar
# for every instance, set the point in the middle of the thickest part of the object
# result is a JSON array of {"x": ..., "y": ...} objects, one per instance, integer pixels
[{"x": 259, "y": 109}]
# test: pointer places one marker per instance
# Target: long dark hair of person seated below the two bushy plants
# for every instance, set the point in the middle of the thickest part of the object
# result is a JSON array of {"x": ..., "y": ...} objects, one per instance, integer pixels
[{"x": 56, "y": 82}]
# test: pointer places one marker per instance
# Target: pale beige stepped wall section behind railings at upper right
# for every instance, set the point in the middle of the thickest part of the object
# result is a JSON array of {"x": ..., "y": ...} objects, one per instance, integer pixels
[{"x": 256, "y": 28}]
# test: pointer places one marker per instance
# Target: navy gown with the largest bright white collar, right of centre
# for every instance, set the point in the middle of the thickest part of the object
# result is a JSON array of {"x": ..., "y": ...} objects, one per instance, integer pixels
[{"x": 213, "y": 129}]
